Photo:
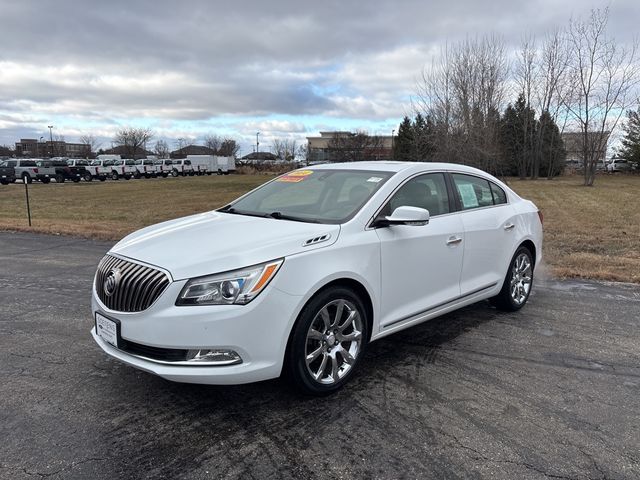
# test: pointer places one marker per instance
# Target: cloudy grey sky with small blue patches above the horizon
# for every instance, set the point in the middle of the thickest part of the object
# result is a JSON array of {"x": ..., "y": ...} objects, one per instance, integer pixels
[{"x": 284, "y": 68}]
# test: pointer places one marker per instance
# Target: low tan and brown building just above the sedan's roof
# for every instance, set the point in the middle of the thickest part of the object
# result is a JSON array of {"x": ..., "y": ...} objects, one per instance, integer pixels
[{"x": 342, "y": 146}]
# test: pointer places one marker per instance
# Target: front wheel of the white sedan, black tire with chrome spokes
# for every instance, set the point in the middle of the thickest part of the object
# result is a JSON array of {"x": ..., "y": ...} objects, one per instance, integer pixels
[{"x": 328, "y": 340}]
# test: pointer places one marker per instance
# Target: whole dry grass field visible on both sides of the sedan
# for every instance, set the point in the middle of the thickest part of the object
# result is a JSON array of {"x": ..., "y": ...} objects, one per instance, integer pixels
[{"x": 590, "y": 232}]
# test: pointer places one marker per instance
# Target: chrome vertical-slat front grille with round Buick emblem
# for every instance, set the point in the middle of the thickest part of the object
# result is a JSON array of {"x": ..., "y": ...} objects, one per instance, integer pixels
[{"x": 135, "y": 286}]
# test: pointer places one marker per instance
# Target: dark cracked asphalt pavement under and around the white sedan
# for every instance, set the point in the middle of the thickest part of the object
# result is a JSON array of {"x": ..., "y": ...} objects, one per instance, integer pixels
[{"x": 550, "y": 392}]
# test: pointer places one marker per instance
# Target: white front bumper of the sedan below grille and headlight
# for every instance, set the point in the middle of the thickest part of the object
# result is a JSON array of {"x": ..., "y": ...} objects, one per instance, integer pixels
[{"x": 258, "y": 332}]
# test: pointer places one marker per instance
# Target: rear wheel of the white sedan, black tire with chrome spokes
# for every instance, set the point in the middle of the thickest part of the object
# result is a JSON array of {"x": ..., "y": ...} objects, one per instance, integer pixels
[{"x": 515, "y": 292}]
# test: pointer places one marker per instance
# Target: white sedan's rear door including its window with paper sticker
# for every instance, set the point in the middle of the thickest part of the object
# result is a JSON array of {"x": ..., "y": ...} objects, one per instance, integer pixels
[{"x": 490, "y": 232}]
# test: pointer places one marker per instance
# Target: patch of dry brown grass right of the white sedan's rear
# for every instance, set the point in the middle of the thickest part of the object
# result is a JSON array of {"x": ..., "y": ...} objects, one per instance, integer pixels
[{"x": 590, "y": 232}]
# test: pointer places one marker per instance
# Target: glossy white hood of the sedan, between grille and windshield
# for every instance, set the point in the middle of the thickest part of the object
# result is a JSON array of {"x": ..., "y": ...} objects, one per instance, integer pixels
[{"x": 215, "y": 242}]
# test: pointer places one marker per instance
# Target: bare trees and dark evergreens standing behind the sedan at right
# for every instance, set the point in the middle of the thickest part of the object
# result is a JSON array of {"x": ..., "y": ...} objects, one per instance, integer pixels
[{"x": 576, "y": 78}]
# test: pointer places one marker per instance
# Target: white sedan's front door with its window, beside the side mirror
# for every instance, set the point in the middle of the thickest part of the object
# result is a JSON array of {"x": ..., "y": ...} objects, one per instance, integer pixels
[{"x": 420, "y": 265}]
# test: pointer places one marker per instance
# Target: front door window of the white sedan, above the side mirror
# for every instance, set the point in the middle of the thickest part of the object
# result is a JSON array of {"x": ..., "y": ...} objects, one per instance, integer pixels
[{"x": 425, "y": 191}]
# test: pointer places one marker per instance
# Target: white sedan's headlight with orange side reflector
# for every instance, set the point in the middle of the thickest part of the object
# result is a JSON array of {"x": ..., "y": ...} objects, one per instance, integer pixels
[{"x": 239, "y": 286}]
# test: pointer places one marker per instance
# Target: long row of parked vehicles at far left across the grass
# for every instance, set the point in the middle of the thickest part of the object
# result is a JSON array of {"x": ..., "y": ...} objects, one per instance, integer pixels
[{"x": 62, "y": 169}]
